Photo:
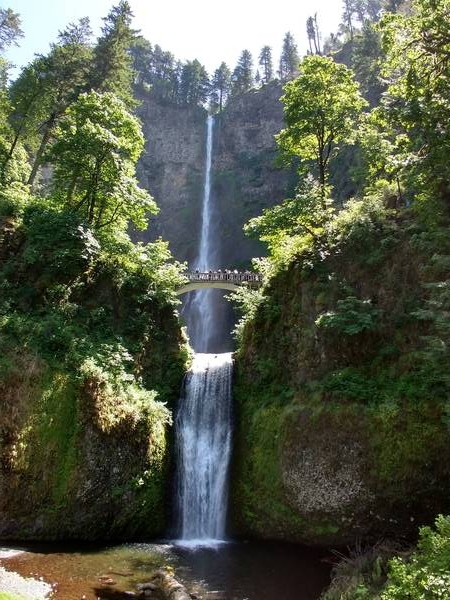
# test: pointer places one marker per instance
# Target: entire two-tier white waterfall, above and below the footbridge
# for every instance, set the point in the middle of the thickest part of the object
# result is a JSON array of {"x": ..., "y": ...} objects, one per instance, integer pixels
[{"x": 203, "y": 422}]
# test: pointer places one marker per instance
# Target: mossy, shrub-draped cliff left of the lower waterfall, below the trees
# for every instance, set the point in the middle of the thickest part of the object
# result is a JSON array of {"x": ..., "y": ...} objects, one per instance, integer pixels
[{"x": 90, "y": 346}]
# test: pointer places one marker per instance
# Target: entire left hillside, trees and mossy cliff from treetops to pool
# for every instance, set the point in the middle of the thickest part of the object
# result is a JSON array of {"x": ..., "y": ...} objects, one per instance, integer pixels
[{"x": 92, "y": 354}]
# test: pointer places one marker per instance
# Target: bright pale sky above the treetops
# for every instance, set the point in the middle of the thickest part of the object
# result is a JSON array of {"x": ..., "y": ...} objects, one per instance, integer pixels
[{"x": 212, "y": 32}]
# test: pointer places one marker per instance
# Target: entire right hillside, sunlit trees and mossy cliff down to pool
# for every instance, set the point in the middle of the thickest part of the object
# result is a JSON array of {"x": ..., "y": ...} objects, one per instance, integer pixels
[{"x": 342, "y": 369}]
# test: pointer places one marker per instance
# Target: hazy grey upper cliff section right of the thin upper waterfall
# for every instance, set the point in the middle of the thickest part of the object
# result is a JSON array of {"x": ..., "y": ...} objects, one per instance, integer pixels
[{"x": 245, "y": 176}]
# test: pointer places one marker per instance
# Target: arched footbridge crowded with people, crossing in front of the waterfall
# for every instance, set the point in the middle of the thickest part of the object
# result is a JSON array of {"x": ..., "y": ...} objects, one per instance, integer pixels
[{"x": 223, "y": 280}]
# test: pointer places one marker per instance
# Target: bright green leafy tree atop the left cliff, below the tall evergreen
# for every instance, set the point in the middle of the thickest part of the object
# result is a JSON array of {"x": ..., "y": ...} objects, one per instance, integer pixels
[{"x": 94, "y": 155}]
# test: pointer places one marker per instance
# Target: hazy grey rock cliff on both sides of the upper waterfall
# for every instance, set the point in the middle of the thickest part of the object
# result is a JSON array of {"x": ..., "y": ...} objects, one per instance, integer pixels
[{"x": 244, "y": 176}]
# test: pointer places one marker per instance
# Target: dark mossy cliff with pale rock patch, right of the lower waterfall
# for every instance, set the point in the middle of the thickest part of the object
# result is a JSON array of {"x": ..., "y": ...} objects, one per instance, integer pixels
[{"x": 341, "y": 430}]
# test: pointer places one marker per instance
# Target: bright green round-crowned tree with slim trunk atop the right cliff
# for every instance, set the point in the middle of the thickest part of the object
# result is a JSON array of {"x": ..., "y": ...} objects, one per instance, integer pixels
[{"x": 321, "y": 108}]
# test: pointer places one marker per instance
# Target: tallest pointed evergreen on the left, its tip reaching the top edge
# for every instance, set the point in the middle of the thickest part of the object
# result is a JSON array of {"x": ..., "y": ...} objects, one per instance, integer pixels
[{"x": 112, "y": 70}]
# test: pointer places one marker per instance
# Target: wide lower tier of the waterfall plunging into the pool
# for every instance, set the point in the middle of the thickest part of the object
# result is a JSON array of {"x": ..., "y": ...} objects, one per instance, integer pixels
[{"x": 203, "y": 444}]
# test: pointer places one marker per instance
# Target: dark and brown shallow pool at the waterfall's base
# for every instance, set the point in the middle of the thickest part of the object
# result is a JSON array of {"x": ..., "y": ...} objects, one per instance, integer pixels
[{"x": 229, "y": 571}]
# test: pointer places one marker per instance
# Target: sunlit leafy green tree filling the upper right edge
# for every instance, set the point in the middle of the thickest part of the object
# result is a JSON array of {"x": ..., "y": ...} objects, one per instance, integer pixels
[{"x": 416, "y": 105}]
